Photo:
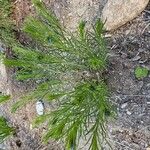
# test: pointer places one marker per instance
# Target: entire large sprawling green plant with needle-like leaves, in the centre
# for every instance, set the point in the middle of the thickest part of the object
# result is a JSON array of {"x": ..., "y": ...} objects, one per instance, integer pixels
[{"x": 68, "y": 70}]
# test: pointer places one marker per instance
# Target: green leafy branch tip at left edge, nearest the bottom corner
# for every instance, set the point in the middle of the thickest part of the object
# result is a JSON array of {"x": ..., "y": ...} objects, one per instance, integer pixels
[{"x": 5, "y": 129}]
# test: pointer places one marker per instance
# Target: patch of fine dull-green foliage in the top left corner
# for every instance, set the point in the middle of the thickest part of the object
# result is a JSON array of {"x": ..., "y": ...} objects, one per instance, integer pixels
[{"x": 6, "y": 23}]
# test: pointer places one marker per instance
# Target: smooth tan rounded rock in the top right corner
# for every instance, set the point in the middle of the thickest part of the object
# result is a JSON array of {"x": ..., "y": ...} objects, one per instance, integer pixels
[{"x": 118, "y": 12}]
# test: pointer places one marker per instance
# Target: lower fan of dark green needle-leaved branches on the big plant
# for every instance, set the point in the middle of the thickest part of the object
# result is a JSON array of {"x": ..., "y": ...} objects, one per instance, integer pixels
[{"x": 83, "y": 111}]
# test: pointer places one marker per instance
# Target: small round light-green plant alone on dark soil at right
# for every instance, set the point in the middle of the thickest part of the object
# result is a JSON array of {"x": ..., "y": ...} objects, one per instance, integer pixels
[{"x": 141, "y": 72}]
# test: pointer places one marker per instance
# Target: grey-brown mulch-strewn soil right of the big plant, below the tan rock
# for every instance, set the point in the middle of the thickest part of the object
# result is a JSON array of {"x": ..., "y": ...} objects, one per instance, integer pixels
[{"x": 130, "y": 48}]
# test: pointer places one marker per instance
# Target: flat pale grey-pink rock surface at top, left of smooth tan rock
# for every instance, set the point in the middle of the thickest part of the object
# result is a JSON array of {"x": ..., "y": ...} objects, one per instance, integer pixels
[{"x": 71, "y": 12}]
